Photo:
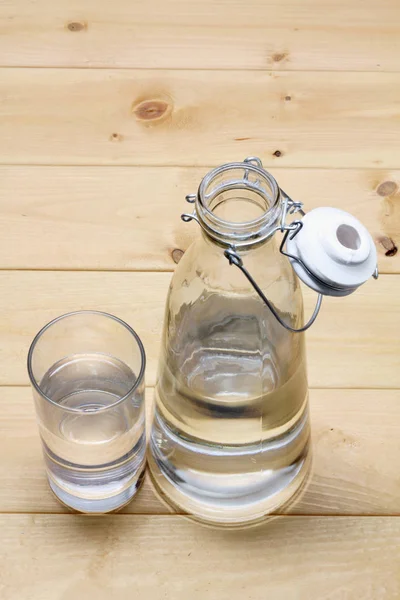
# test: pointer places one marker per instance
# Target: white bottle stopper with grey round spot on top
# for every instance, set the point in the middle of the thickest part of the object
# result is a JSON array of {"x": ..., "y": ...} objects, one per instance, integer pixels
[{"x": 336, "y": 248}]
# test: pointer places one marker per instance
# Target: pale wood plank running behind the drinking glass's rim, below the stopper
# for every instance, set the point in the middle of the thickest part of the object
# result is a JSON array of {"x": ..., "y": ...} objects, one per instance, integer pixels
[{"x": 355, "y": 341}]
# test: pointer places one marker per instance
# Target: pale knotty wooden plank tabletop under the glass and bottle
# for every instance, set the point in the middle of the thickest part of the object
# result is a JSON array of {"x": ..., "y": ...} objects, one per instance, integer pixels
[{"x": 110, "y": 112}]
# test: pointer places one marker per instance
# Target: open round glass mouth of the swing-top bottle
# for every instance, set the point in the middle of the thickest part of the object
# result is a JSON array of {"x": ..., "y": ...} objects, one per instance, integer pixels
[{"x": 238, "y": 204}]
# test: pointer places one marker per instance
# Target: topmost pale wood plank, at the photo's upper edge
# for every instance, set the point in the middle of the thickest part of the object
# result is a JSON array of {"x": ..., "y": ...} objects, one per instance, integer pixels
[{"x": 202, "y": 34}]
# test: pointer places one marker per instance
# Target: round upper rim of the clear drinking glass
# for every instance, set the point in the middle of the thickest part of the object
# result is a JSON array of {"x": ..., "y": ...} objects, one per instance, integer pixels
[{"x": 39, "y": 334}]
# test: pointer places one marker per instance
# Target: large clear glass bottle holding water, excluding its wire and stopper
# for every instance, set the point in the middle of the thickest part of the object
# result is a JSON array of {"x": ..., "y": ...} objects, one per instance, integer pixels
[{"x": 230, "y": 433}]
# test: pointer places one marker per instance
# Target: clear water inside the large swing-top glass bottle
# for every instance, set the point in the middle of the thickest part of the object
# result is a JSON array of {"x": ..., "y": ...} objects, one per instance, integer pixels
[{"x": 230, "y": 437}]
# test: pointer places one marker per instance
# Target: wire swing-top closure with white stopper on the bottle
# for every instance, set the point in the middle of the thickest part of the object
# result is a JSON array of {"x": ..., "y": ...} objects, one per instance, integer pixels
[{"x": 330, "y": 250}]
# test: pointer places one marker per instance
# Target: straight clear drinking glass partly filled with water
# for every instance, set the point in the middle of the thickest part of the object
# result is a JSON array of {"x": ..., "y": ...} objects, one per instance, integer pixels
[{"x": 87, "y": 374}]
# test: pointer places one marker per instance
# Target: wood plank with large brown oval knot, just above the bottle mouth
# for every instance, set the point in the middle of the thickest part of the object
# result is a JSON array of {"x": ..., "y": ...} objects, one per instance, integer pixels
[{"x": 142, "y": 117}]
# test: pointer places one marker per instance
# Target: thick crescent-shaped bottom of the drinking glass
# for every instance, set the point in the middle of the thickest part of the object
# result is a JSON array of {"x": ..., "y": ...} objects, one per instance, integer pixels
[{"x": 98, "y": 505}]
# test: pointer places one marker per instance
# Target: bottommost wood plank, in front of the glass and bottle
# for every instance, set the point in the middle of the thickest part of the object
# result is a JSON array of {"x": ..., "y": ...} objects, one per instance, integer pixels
[{"x": 164, "y": 557}]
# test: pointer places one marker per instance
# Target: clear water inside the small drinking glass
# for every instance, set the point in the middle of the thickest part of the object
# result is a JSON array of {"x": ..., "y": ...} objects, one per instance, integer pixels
[{"x": 95, "y": 458}]
